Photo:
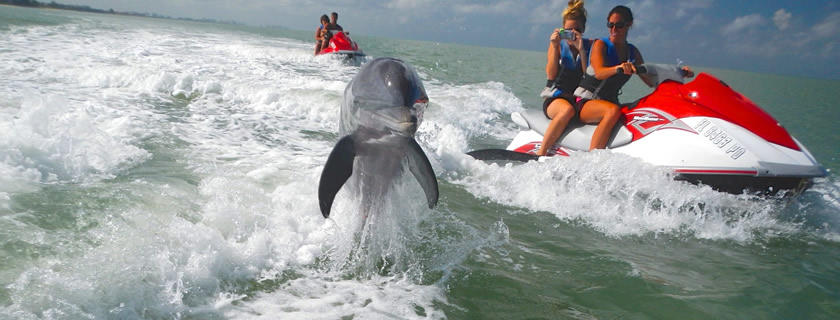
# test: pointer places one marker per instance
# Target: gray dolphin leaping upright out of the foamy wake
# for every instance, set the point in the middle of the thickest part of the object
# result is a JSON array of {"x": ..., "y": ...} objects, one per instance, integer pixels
[{"x": 382, "y": 108}]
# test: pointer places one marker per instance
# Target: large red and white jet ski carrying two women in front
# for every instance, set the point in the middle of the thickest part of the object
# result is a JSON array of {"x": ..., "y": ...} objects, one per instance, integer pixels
[{"x": 702, "y": 130}]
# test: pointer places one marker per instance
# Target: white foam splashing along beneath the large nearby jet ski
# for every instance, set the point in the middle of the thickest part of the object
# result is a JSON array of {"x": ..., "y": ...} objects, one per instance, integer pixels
[{"x": 619, "y": 196}]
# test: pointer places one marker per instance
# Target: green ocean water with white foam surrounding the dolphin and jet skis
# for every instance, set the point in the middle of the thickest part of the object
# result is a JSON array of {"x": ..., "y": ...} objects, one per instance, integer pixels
[{"x": 161, "y": 169}]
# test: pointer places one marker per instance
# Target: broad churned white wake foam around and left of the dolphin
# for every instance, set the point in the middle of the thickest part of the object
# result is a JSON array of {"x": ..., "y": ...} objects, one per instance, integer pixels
[{"x": 249, "y": 122}]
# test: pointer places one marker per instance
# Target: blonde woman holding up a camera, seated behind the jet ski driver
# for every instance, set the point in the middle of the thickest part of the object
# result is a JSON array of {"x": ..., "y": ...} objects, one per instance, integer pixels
[{"x": 566, "y": 61}]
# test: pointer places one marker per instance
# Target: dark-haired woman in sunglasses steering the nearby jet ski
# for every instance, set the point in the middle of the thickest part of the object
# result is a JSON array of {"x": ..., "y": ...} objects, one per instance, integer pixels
[{"x": 612, "y": 61}]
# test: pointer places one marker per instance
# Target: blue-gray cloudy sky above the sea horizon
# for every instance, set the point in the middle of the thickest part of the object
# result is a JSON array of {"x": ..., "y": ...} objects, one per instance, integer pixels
[{"x": 800, "y": 38}]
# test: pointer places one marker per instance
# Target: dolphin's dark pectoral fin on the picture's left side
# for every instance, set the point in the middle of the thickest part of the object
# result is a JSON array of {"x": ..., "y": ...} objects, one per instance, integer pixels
[{"x": 338, "y": 169}]
